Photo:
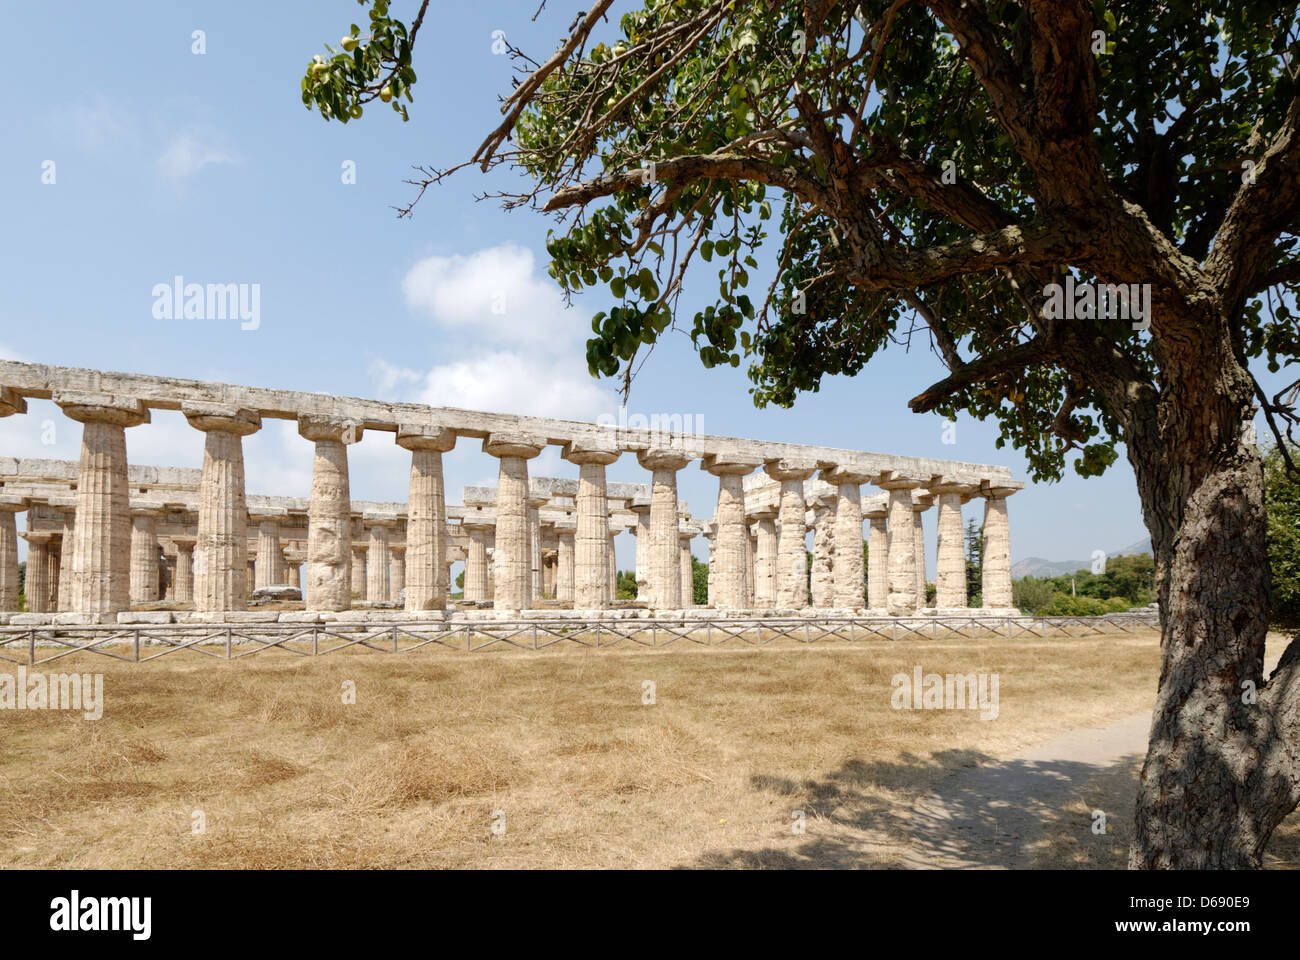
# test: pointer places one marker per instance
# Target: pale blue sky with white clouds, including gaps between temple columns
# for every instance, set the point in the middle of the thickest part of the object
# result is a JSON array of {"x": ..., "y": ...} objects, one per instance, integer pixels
[{"x": 209, "y": 167}]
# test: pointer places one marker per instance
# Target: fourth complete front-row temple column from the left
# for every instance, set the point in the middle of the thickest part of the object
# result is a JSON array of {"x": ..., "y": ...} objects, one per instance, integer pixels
[{"x": 427, "y": 585}]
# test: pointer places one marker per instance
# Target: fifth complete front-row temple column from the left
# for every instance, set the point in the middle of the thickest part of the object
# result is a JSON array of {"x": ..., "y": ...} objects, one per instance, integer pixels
[{"x": 512, "y": 563}]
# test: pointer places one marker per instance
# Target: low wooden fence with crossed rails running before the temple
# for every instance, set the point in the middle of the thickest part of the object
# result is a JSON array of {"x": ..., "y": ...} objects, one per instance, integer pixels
[{"x": 142, "y": 643}]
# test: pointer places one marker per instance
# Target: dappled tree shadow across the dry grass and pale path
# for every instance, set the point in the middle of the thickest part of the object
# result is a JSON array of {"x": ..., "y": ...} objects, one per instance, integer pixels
[{"x": 894, "y": 815}]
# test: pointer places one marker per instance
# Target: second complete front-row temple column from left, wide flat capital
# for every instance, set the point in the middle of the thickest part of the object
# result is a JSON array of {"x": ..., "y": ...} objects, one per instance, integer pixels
[{"x": 222, "y": 548}]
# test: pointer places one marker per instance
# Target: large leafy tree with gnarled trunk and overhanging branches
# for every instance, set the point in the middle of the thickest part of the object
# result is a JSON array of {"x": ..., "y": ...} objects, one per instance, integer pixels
[{"x": 1087, "y": 213}]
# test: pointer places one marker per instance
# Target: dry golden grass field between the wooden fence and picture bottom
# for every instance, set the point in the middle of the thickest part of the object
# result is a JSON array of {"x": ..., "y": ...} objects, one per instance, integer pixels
[{"x": 556, "y": 747}]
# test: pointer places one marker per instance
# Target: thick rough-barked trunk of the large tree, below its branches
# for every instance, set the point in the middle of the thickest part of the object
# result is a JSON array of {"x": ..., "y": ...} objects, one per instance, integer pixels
[{"x": 1219, "y": 777}]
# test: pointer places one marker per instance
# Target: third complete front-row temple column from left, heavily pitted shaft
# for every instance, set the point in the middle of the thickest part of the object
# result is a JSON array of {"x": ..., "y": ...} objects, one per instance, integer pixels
[{"x": 330, "y": 516}]
